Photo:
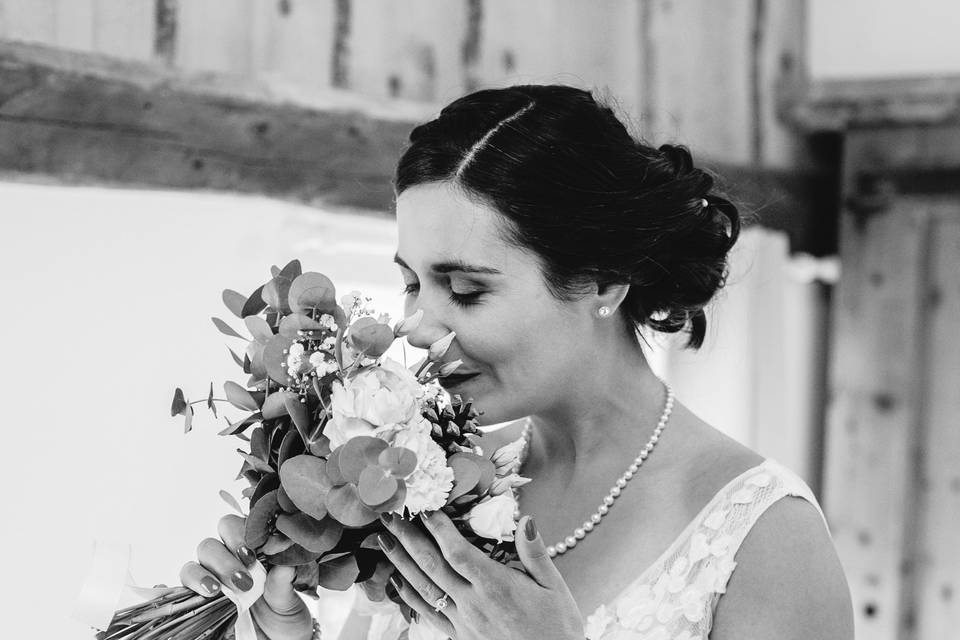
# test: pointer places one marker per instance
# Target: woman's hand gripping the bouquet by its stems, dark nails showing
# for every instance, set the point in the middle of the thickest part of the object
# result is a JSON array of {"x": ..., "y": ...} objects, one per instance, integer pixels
[{"x": 279, "y": 614}]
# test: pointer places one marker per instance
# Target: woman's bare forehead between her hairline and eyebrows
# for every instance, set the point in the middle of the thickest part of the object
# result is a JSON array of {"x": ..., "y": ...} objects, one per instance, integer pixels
[{"x": 437, "y": 221}]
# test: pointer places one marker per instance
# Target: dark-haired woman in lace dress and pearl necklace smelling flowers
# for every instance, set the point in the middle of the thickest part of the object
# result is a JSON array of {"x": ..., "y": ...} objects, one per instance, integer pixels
[{"x": 535, "y": 227}]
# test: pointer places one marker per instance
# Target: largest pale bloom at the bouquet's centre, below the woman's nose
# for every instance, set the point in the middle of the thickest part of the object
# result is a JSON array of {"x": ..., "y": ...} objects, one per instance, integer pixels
[{"x": 385, "y": 396}]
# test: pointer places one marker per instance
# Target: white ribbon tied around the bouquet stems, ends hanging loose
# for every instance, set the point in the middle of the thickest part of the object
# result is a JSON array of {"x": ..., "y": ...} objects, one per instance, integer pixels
[{"x": 108, "y": 583}]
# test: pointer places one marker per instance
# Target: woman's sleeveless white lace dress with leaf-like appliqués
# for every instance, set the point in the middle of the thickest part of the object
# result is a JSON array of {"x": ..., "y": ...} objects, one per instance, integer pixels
[{"x": 674, "y": 598}]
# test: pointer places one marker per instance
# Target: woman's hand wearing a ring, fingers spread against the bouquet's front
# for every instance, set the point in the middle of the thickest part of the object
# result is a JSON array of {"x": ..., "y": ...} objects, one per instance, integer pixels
[{"x": 486, "y": 599}]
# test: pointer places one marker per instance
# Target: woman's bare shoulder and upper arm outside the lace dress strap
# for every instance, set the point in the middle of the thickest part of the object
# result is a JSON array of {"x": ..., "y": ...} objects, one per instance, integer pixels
[{"x": 786, "y": 567}]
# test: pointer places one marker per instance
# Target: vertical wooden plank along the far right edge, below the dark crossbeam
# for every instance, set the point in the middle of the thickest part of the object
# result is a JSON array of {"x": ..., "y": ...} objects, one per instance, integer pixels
[{"x": 937, "y": 554}]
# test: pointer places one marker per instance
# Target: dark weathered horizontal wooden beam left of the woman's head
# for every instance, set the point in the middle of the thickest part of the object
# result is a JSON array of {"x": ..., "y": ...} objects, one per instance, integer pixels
[{"x": 94, "y": 119}]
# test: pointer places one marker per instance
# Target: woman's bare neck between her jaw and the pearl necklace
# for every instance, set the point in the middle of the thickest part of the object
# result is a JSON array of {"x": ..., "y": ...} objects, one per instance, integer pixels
[{"x": 606, "y": 419}]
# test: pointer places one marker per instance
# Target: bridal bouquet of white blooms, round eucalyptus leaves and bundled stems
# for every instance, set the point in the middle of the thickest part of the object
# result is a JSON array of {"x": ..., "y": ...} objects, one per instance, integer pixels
[{"x": 334, "y": 435}]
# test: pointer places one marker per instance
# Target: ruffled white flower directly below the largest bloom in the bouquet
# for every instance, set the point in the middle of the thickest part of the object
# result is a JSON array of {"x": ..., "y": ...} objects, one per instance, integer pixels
[{"x": 430, "y": 483}]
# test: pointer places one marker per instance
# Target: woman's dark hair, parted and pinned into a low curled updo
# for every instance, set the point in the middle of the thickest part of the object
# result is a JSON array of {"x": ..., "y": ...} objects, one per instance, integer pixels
[{"x": 592, "y": 202}]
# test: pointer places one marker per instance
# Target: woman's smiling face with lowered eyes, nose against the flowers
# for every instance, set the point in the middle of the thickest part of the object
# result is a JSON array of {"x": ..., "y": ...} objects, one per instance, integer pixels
[{"x": 519, "y": 344}]
